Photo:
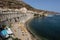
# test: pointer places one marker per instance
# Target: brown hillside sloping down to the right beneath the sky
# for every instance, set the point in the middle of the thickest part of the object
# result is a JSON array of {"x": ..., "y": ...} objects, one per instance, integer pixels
[{"x": 13, "y": 4}]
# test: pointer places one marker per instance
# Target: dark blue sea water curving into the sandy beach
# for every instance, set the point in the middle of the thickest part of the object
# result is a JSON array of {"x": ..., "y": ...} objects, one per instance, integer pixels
[{"x": 47, "y": 27}]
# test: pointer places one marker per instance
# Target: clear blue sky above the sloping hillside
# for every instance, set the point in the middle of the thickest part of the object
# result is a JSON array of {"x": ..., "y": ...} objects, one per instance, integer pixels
[{"x": 50, "y": 5}]
